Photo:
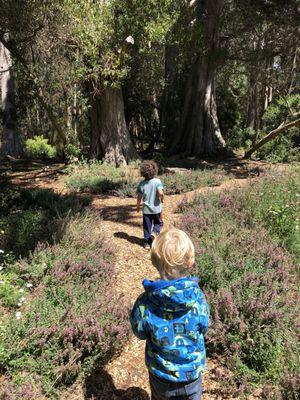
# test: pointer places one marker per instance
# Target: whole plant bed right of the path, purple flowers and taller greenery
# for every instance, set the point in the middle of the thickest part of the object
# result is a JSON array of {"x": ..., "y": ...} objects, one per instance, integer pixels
[{"x": 247, "y": 267}]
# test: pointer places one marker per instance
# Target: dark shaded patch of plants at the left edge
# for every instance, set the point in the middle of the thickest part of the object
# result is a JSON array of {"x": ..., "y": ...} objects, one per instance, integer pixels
[{"x": 32, "y": 216}]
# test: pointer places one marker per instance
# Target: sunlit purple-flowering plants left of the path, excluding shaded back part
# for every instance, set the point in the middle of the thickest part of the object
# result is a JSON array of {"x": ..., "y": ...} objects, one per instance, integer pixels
[{"x": 76, "y": 322}]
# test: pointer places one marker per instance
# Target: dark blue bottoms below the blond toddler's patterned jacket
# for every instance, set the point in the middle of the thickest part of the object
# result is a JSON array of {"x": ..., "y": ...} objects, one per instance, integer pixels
[{"x": 165, "y": 390}]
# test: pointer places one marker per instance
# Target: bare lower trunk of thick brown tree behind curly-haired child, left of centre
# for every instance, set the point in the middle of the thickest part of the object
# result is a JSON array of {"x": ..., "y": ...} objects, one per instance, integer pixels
[{"x": 110, "y": 137}]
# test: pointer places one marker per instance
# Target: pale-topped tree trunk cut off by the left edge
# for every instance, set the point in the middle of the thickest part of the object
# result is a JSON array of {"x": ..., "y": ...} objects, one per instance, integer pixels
[{"x": 11, "y": 139}]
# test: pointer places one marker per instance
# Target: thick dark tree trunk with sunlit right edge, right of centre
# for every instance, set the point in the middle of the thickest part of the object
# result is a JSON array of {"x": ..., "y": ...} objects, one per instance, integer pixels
[{"x": 199, "y": 133}]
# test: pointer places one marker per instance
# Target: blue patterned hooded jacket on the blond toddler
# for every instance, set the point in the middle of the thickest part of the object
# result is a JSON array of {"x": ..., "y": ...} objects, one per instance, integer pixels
[{"x": 172, "y": 316}]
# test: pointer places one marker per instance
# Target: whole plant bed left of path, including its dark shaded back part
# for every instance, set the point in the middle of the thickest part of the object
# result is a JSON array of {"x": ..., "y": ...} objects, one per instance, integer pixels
[{"x": 60, "y": 317}]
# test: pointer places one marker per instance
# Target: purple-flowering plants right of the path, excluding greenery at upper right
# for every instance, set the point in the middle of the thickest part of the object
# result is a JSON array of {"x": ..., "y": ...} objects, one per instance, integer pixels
[{"x": 250, "y": 281}]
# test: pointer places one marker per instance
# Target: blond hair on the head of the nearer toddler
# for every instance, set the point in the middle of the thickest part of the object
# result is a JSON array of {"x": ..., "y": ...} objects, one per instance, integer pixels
[{"x": 173, "y": 253}]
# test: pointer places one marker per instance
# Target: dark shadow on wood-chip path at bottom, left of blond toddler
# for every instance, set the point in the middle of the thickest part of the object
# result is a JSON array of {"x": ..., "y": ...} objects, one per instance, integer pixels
[{"x": 100, "y": 386}]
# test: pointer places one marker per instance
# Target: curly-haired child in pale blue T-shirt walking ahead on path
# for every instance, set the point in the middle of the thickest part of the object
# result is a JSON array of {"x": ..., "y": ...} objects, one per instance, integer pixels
[{"x": 150, "y": 191}]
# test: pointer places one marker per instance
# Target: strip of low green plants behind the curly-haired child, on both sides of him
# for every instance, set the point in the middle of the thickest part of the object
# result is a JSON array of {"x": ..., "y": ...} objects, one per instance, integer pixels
[{"x": 96, "y": 177}]
